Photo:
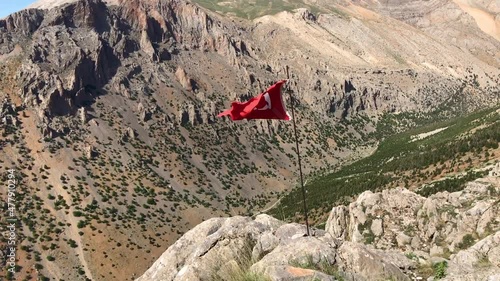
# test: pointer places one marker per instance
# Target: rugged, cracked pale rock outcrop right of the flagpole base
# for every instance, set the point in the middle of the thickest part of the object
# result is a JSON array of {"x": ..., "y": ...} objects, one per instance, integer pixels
[{"x": 462, "y": 226}]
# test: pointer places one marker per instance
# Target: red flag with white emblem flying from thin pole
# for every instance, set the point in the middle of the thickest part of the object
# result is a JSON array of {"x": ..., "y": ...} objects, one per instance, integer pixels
[{"x": 267, "y": 105}]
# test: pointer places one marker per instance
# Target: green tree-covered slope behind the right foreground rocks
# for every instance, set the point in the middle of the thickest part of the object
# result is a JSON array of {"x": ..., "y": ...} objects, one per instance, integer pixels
[{"x": 401, "y": 161}]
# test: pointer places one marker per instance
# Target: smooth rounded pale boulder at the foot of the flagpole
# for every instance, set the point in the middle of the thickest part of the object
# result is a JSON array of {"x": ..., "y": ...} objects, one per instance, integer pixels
[{"x": 267, "y": 247}]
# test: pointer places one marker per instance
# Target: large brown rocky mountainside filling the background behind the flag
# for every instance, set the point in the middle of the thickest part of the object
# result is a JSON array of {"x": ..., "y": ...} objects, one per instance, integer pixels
[{"x": 108, "y": 113}]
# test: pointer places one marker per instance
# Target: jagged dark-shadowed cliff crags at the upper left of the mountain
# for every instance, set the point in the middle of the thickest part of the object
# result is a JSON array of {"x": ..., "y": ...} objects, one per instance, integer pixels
[{"x": 76, "y": 50}]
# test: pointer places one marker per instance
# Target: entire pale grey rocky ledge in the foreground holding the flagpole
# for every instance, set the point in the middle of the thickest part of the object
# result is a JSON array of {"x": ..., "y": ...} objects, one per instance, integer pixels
[{"x": 392, "y": 235}]
